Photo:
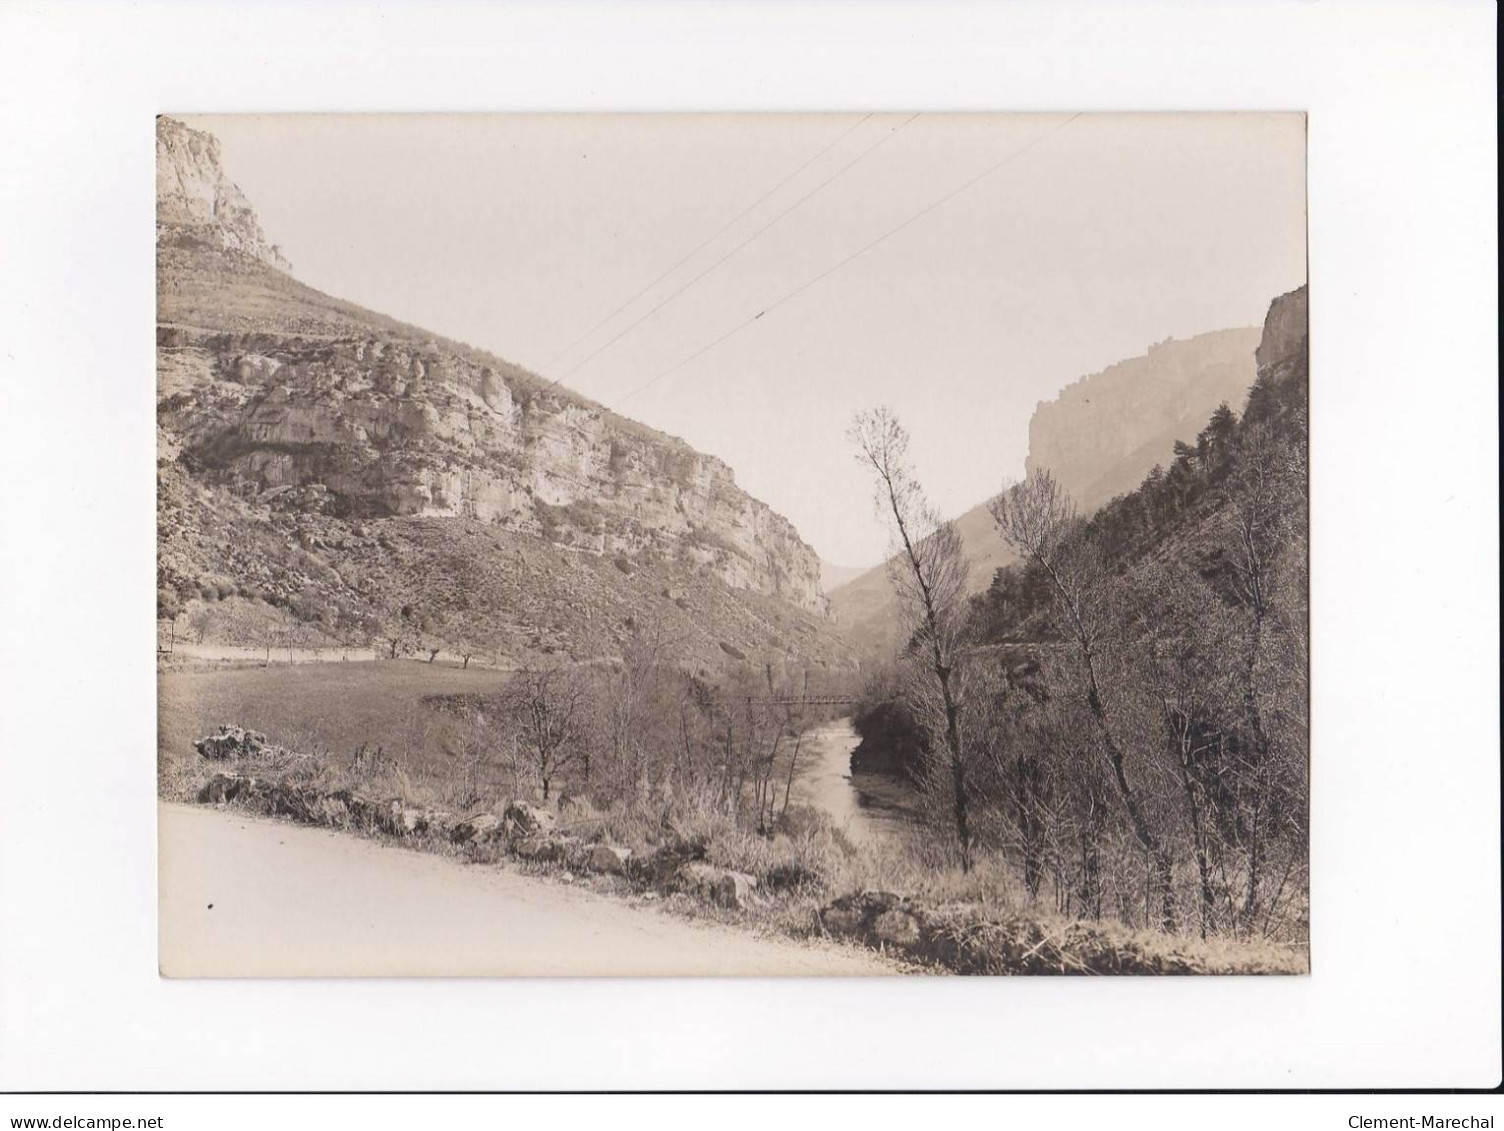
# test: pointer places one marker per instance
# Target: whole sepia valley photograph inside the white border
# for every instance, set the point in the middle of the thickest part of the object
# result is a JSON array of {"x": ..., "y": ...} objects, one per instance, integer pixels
[{"x": 733, "y": 545}]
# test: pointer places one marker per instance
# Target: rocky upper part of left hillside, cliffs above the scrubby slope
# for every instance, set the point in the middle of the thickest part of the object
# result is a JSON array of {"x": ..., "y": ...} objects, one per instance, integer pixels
[{"x": 365, "y": 419}]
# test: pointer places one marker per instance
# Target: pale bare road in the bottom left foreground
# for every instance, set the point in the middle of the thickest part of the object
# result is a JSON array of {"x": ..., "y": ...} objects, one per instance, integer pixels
[{"x": 253, "y": 897}]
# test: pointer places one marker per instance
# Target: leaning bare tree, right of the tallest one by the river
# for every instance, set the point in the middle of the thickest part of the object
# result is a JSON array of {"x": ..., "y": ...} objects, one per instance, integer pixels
[{"x": 1040, "y": 523}]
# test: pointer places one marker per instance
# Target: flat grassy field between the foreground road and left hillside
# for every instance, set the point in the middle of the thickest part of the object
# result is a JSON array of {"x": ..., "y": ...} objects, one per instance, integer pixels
[{"x": 315, "y": 708}]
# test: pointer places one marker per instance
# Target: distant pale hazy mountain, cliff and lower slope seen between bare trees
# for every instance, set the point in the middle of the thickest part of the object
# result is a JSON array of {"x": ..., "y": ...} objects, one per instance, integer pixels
[{"x": 1099, "y": 438}]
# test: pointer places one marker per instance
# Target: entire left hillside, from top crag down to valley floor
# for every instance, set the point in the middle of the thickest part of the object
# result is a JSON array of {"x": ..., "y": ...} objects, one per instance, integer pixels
[{"x": 314, "y": 429}]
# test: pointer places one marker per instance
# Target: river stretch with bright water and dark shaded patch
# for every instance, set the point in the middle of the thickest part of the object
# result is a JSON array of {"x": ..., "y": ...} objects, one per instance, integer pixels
[{"x": 867, "y": 807}]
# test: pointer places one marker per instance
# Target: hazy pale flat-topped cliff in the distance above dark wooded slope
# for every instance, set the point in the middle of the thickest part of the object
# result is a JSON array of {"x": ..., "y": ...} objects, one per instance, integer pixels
[{"x": 1103, "y": 434}]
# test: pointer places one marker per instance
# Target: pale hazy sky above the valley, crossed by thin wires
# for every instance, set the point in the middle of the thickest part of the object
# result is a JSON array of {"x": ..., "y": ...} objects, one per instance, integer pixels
[{"x": 518, "y": 234}]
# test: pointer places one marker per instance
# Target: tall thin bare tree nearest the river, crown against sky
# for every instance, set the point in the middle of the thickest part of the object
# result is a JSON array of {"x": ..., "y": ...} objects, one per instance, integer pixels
[{"x": 929, "y": 577}]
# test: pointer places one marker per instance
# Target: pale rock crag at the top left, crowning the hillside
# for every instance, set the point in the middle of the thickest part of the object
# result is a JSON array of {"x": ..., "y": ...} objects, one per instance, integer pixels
[{"x": 196, "y": 201}]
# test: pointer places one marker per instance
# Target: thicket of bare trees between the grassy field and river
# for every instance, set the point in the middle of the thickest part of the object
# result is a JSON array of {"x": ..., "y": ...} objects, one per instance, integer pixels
[{"x": 641, "y": 732}]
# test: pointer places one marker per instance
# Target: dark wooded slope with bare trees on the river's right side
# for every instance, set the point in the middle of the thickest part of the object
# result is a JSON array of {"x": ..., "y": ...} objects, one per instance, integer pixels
[{"x": 1123, "y": 717}]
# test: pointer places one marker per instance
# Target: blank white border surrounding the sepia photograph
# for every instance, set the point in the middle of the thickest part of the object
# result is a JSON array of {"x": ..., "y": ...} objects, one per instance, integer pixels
[{"x": 1405, "y": 989}]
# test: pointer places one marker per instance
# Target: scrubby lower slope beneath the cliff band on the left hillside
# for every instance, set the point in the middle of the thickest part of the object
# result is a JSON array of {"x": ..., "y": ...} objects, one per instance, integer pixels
[{"x": 259, "y": 575}]
